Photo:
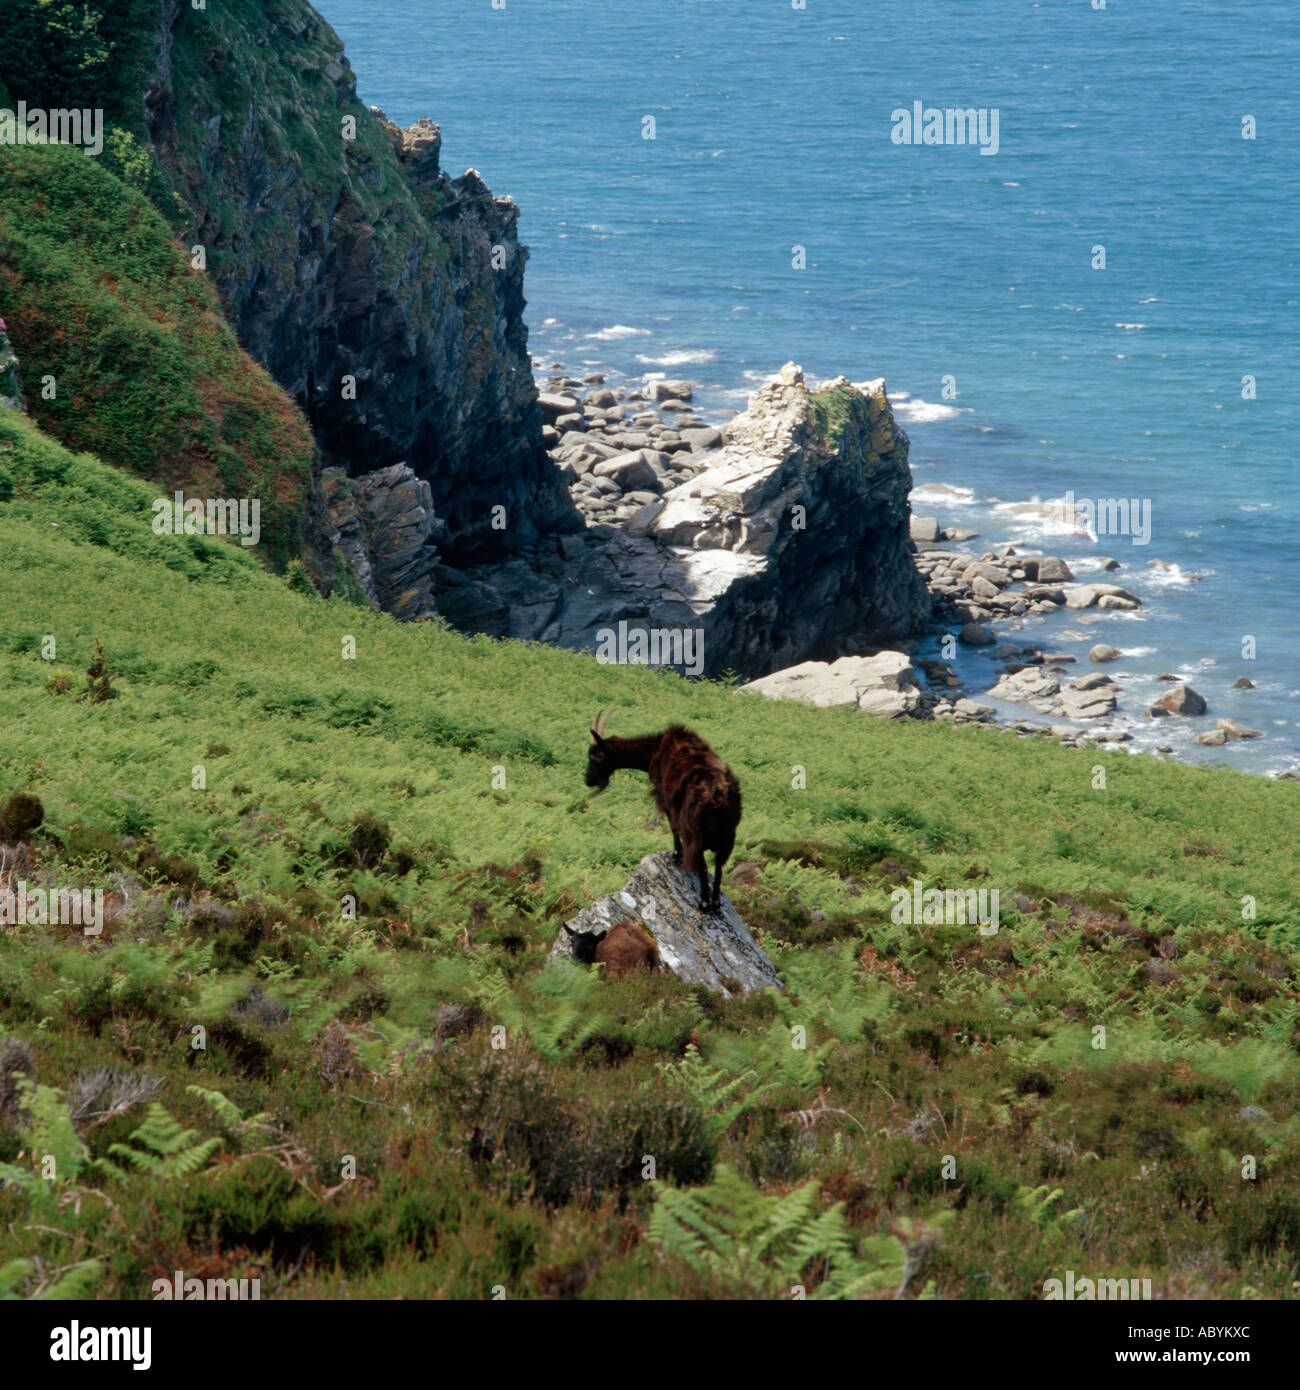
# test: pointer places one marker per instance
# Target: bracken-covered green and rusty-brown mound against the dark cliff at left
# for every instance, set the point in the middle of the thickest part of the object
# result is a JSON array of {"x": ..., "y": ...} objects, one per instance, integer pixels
[{"x": 147, "y": 373}]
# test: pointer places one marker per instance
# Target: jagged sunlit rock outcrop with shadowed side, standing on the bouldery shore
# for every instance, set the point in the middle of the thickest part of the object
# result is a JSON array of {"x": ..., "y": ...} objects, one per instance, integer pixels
[{"x": 789, "y": 543}]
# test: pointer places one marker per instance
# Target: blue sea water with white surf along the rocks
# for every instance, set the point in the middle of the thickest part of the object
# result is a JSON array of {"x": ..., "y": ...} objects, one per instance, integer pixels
[{"x": 938, "y": 266}]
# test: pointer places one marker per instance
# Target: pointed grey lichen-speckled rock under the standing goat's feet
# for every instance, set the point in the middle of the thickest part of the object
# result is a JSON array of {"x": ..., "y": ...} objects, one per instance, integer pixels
[{"x": 714, "y": 950}]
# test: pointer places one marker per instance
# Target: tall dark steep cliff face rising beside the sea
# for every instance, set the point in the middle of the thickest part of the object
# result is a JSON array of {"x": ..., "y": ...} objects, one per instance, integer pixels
[{"x": 384, "y": 295}]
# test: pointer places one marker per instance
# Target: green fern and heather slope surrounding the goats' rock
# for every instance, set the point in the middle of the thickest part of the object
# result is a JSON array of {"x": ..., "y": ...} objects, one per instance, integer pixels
[{"x": 351, "y": 1125}]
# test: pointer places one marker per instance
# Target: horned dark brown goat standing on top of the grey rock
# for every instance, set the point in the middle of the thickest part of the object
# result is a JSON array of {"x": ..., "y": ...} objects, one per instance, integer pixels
[{"x": 690, "y": 785}]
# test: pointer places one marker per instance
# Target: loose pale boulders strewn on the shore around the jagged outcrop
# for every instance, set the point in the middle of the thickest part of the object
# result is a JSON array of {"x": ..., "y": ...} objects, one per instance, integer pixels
[{"x": 631, "y": 457}]
